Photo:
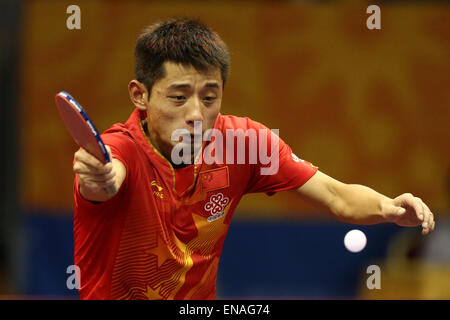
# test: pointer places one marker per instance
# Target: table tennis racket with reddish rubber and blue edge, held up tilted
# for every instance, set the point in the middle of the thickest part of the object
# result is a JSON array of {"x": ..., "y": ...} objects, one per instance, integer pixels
[{"x": 82, "y": 129}]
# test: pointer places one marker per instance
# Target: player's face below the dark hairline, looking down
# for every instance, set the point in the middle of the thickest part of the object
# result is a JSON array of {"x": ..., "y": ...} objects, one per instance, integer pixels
[{"x": 183, "y": 97}]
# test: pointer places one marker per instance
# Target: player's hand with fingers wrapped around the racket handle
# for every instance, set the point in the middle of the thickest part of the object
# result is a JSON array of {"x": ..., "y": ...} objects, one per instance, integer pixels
[{"x": 93, "y": 176}]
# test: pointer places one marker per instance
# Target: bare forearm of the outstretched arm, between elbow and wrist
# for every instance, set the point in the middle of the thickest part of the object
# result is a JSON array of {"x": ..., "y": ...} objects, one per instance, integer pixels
[{"x": 359, "y": 204}]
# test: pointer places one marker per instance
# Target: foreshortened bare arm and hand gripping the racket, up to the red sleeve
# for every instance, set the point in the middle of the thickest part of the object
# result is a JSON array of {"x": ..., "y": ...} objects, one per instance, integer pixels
[{"x": 94, "y": 177}]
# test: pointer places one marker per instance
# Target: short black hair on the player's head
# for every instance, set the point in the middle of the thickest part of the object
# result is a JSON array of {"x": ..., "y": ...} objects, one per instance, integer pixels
[{"x": 180, "y": 40}]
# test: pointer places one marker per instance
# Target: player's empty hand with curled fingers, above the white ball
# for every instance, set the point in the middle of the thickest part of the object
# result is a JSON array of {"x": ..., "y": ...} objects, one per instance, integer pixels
[{"x": 409, "y": 211}]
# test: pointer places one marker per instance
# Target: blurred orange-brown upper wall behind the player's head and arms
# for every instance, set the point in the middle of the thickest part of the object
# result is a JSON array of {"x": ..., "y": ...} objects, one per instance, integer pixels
[{"x": 367, "y": 107}]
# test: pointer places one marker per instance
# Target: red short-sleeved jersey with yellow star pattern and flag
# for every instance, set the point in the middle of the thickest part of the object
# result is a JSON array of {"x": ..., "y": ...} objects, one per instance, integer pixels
[{"x": 161, "y": 235}]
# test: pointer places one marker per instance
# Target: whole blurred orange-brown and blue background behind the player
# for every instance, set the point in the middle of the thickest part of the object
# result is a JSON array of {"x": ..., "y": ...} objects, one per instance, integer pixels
[{"x": 370, "y": 107}]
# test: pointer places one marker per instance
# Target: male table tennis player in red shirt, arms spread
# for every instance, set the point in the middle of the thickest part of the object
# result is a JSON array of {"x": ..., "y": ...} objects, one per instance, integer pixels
[{"x": 160, "y": 236}]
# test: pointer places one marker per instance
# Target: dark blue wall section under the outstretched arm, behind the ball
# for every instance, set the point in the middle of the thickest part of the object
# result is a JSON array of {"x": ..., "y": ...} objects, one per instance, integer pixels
[{"x": 297, "y": 259}]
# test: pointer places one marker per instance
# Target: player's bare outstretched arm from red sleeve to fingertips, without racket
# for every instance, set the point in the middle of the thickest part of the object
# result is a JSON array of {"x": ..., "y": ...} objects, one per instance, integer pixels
[{"x": 357, "y": 204}]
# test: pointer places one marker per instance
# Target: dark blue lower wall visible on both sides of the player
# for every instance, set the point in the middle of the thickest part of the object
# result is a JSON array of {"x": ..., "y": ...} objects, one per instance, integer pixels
[{"x": 260, "y": 259}]
